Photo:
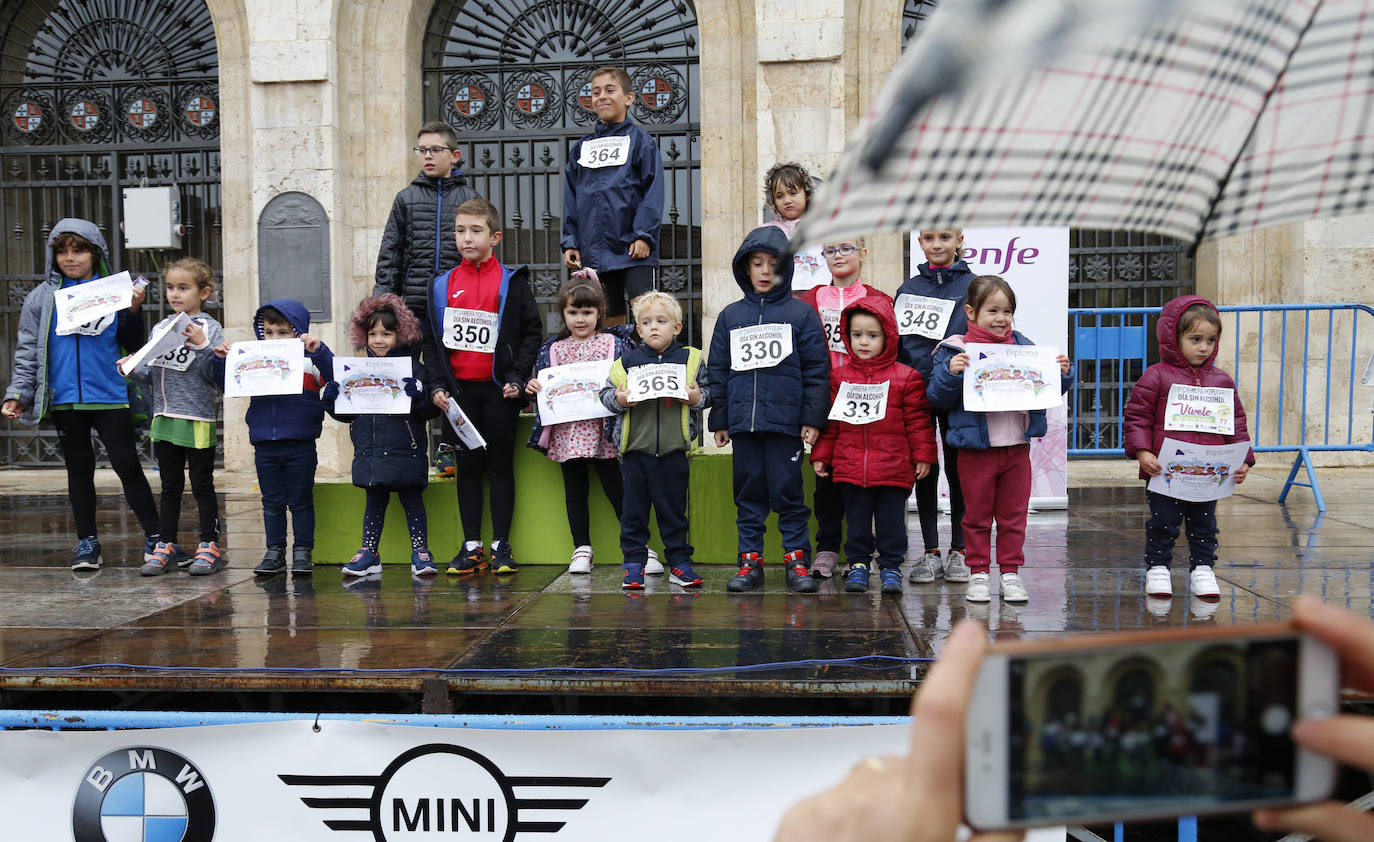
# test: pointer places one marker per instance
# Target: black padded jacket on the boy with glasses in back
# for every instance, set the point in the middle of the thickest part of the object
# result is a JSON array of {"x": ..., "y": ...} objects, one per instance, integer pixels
[{"x": 418, "y": 241}]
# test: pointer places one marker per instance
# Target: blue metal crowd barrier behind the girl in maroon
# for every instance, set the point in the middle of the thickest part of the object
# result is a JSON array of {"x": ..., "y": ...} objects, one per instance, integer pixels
[{"x": 1118, "y": 343}]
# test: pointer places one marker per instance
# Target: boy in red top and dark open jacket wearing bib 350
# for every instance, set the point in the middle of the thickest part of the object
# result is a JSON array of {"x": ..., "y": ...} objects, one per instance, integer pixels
[{"x": 484, "y": 333}]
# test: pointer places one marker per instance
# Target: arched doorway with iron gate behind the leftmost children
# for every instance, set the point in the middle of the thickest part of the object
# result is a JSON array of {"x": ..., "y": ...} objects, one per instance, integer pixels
[{"x": 95, "y": 98}]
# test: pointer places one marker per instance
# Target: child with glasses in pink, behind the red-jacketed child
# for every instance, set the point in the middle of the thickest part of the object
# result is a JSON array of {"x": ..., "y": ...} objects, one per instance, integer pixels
[{"x": 846, "y": 260}]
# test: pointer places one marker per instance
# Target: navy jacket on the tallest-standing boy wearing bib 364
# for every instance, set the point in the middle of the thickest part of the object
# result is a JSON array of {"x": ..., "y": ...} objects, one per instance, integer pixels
[{"x": 609, "y": 208}]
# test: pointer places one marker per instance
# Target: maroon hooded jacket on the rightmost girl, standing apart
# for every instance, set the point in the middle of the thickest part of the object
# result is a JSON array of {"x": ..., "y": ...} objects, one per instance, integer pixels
[{"x": 1145, "y": 410}]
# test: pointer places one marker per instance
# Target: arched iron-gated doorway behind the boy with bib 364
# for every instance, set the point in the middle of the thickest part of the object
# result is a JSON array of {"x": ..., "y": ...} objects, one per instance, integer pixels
[{"x": 510, "y": 76}]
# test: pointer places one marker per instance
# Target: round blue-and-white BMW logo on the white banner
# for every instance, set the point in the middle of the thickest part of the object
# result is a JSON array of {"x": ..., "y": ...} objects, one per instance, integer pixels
[{"x": 144, "y": 795}]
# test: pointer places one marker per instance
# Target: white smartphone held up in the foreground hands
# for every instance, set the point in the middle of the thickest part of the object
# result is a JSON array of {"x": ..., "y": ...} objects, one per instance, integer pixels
[{"x": 1147, "y": 726}]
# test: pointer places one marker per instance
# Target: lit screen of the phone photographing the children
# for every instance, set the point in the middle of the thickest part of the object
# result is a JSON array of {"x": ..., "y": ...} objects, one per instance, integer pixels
[{"x": 1177, "y": 727}]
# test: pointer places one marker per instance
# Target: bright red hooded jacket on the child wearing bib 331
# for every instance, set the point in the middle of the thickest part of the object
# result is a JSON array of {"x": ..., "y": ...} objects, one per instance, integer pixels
[{"x": 887, "y": 451}]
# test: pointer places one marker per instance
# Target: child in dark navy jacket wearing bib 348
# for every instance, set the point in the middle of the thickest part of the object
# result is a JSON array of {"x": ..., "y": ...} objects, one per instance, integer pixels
[{"x": 947, "y": 278}]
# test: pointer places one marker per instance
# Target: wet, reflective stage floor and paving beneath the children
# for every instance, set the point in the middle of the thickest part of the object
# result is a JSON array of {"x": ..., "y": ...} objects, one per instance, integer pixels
[{"x": 543, "y": 631}]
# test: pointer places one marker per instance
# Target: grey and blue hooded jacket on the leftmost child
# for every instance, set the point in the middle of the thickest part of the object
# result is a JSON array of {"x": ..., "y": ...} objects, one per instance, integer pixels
[{"x": 69, "y": 370}]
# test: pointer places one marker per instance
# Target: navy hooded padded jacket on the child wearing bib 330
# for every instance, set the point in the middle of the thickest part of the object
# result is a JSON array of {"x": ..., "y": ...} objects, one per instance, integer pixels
[{"x": 787, "y": 396}]
